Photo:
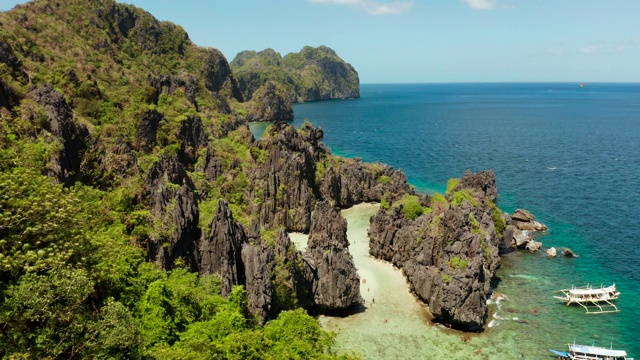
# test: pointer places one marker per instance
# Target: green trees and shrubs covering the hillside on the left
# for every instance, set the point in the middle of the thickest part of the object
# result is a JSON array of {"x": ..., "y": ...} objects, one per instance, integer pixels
[{"x": 75, "y": 280}]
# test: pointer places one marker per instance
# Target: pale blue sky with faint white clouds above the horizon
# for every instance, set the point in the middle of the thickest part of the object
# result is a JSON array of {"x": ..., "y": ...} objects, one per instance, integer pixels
[{"x": 403, "y": 41}]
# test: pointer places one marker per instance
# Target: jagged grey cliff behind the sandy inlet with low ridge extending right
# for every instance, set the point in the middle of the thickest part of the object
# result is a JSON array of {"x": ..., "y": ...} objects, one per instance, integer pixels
[{"x": 299, "y": 170}]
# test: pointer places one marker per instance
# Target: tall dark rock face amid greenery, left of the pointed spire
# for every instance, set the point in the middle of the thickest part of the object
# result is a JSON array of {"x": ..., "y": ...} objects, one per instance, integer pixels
[{"x": 170, "y": 194}]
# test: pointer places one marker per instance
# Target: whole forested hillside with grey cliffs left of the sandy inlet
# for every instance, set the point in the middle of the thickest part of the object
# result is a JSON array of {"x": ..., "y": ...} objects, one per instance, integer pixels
[{"x": 132, "y": 209}]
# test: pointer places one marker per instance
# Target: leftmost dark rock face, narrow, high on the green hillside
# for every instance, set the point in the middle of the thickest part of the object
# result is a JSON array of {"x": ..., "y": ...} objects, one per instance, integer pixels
[{"x": 65, "y": 164}]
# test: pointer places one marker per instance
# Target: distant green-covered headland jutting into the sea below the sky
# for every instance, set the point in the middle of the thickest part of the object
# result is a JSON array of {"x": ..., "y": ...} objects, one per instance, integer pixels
[{"x": 312, "y": 74}]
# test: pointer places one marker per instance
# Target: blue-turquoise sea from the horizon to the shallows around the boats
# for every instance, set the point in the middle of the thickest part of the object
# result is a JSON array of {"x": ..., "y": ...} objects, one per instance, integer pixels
[{"x": 570, "y": 155}]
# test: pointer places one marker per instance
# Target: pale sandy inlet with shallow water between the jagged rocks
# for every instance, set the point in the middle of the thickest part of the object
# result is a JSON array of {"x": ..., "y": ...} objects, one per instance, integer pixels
[{"x": 394, "y": 324}]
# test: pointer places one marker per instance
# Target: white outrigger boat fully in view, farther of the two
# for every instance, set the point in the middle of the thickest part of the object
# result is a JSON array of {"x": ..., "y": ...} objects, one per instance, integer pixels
[{"x": 596, "y": 300}]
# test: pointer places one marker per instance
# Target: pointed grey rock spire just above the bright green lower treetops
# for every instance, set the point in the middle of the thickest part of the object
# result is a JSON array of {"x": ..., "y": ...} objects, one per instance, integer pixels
[{"x": 221, "y": 250}]
